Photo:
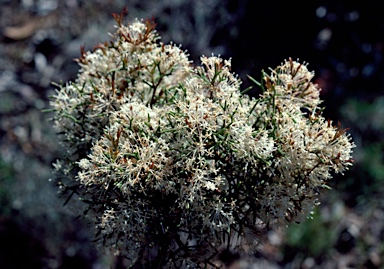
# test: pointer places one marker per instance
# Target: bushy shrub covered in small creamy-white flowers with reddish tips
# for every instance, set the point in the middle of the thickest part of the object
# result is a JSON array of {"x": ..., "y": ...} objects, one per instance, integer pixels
[{"x": 176, "y": 164}]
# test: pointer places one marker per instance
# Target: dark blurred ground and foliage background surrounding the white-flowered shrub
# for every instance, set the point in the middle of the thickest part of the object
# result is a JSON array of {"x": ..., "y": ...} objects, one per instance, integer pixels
[{"x": 343, "y": 42}]
